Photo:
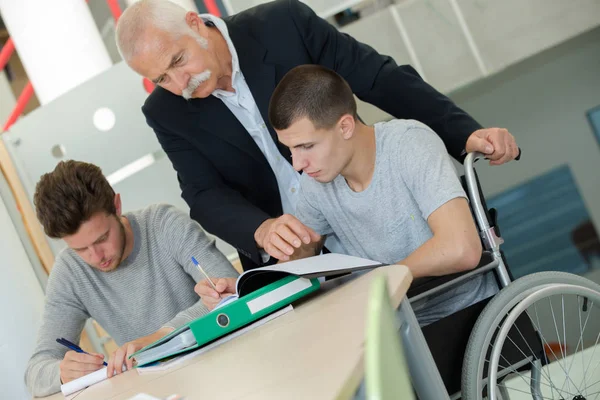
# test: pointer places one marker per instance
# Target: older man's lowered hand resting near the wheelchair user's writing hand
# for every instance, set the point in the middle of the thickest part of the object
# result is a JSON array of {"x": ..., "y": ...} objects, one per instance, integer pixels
[{"x": 281, "y": 236}]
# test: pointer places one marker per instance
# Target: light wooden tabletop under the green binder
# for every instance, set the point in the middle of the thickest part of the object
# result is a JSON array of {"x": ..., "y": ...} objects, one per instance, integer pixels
[{"x": 312, "y": 352}]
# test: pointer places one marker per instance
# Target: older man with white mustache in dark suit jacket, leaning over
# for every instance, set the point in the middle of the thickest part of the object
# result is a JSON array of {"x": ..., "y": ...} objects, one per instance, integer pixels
[{"x": 214, "y": 80}]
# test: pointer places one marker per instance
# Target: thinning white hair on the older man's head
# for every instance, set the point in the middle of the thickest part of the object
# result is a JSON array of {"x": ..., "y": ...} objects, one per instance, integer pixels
[{"x": 161, "y": 14}]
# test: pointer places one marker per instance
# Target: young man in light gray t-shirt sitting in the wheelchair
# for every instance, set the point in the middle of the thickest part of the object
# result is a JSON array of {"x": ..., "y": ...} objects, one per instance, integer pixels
[{"x": 388, "y": 191}]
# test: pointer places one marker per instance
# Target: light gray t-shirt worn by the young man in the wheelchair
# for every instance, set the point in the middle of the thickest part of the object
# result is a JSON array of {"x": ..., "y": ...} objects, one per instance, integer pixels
[{"x": 387, "y": 221}]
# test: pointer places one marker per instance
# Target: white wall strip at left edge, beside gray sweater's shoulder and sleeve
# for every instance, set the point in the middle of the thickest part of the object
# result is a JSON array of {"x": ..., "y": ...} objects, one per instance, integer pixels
[{"x": 21, "y": 304}]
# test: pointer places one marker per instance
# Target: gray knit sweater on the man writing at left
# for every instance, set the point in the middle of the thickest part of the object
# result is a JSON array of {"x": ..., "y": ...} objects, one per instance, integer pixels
[{"x": 152, "y": 288}]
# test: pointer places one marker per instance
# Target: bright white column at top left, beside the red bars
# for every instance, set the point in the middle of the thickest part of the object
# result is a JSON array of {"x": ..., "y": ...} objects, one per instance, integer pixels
[{"x": 58, "y": 43}]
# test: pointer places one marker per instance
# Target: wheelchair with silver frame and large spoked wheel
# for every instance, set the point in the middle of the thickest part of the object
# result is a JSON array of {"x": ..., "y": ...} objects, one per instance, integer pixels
[{"x": 537, "y": 338}]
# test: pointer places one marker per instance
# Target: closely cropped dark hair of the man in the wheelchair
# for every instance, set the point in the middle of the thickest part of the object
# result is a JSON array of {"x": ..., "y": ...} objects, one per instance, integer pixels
[{"x": 314, "y": 92}]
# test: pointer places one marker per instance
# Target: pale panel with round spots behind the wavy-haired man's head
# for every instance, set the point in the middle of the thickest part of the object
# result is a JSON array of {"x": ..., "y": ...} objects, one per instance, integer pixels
[{"x": 31, "y": 140}]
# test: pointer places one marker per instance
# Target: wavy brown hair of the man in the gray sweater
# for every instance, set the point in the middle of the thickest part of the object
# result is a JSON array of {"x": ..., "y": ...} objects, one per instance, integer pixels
[{"x": 70, "y": 195}]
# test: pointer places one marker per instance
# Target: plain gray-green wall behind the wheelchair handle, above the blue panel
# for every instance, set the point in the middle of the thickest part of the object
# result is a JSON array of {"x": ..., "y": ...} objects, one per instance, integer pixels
[{"x": 543, "y": 102}]
